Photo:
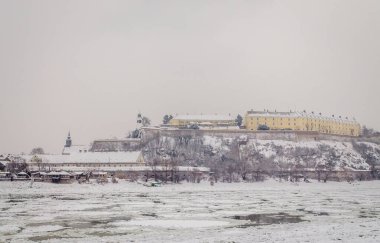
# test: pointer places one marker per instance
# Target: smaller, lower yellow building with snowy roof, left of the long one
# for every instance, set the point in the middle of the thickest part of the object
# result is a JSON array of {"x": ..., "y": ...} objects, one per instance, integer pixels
[{"x": 203, "y": 120}]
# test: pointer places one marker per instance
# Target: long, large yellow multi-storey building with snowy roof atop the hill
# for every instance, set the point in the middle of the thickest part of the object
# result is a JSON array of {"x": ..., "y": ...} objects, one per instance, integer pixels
[{"x": 301, "y": 121}]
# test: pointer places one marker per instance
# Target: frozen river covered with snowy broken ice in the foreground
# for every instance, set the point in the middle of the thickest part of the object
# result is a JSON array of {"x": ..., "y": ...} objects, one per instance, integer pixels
[{"x": 245, "y": 212}]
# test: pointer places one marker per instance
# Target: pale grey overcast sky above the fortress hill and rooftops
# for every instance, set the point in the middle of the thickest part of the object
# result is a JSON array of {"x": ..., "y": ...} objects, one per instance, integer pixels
[{"x": 91, "y": 66}]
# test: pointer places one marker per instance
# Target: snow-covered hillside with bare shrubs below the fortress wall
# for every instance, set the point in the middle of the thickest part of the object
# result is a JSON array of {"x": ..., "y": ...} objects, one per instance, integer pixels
[{"x": 216, "y": 151}]
